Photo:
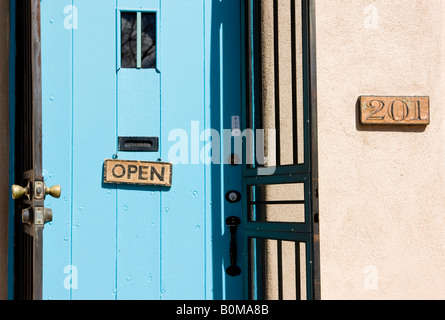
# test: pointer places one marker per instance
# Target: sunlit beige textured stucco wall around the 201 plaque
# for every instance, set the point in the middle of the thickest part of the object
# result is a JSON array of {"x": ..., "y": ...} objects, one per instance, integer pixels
[{"x": 381, "y": 189}]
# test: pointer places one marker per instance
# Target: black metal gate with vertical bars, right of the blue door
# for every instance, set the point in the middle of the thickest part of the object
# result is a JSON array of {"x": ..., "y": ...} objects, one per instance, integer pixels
[{"x": 281, "y": 242}]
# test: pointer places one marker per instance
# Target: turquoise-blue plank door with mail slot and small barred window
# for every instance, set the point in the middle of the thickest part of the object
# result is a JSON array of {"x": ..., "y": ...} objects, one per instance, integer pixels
[{"x": 166, "y": 69}]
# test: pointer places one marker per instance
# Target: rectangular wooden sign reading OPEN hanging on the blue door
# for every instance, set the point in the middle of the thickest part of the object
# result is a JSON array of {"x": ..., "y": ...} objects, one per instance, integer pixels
[{"x": 138, "y": 173}]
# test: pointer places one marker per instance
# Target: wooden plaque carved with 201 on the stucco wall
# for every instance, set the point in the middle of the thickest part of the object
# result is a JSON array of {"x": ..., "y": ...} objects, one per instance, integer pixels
[{"x": 395, "y": 110}]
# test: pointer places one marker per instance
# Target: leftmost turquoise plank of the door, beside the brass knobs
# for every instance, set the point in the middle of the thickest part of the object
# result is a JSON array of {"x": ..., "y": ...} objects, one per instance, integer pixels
[{"x": 57, "y": 119}]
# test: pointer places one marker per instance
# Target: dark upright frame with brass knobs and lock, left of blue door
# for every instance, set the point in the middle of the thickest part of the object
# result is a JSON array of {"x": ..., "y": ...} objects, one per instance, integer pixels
[{"x": 27, "y": 157}]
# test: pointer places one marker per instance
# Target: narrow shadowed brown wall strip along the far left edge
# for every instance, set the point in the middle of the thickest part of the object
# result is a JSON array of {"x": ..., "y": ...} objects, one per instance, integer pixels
[{"x": 4, "y": 144}]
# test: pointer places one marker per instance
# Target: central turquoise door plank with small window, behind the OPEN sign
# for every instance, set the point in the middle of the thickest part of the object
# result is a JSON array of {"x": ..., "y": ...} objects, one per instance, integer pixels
[{"x": 138, "y": 209}]
